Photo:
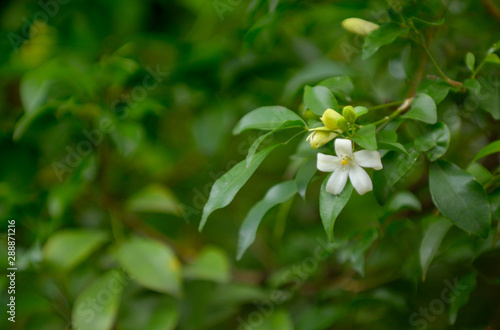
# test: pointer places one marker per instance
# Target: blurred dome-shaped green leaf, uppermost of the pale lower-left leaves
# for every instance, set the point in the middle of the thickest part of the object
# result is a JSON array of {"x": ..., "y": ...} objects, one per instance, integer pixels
[{"x": 154, "y": 198}]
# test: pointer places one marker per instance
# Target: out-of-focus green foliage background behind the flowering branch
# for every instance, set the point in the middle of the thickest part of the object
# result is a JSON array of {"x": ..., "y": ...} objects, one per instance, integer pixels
[{"x": 115, "y": 121}]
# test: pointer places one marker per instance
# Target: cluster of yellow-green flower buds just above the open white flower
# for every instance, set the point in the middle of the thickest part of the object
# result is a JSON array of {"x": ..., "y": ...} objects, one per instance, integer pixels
[{"x": 334, "y": 124}]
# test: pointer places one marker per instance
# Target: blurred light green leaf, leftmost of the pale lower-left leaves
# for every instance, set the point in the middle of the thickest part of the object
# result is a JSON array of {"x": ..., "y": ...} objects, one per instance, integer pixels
[{"x": 67, "y": 248}]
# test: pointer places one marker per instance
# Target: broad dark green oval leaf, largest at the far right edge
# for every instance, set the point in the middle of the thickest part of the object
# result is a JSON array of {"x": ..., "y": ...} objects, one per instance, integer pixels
[{"x": 460, "y": 198}]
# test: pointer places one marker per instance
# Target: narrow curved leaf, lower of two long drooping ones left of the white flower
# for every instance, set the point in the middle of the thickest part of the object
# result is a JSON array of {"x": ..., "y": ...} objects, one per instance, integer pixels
[{"x": 277, "y": 194}]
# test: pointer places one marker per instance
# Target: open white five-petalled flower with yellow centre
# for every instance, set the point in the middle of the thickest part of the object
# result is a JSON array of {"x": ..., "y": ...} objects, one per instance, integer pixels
[{"x": 348, "y": 164}]
